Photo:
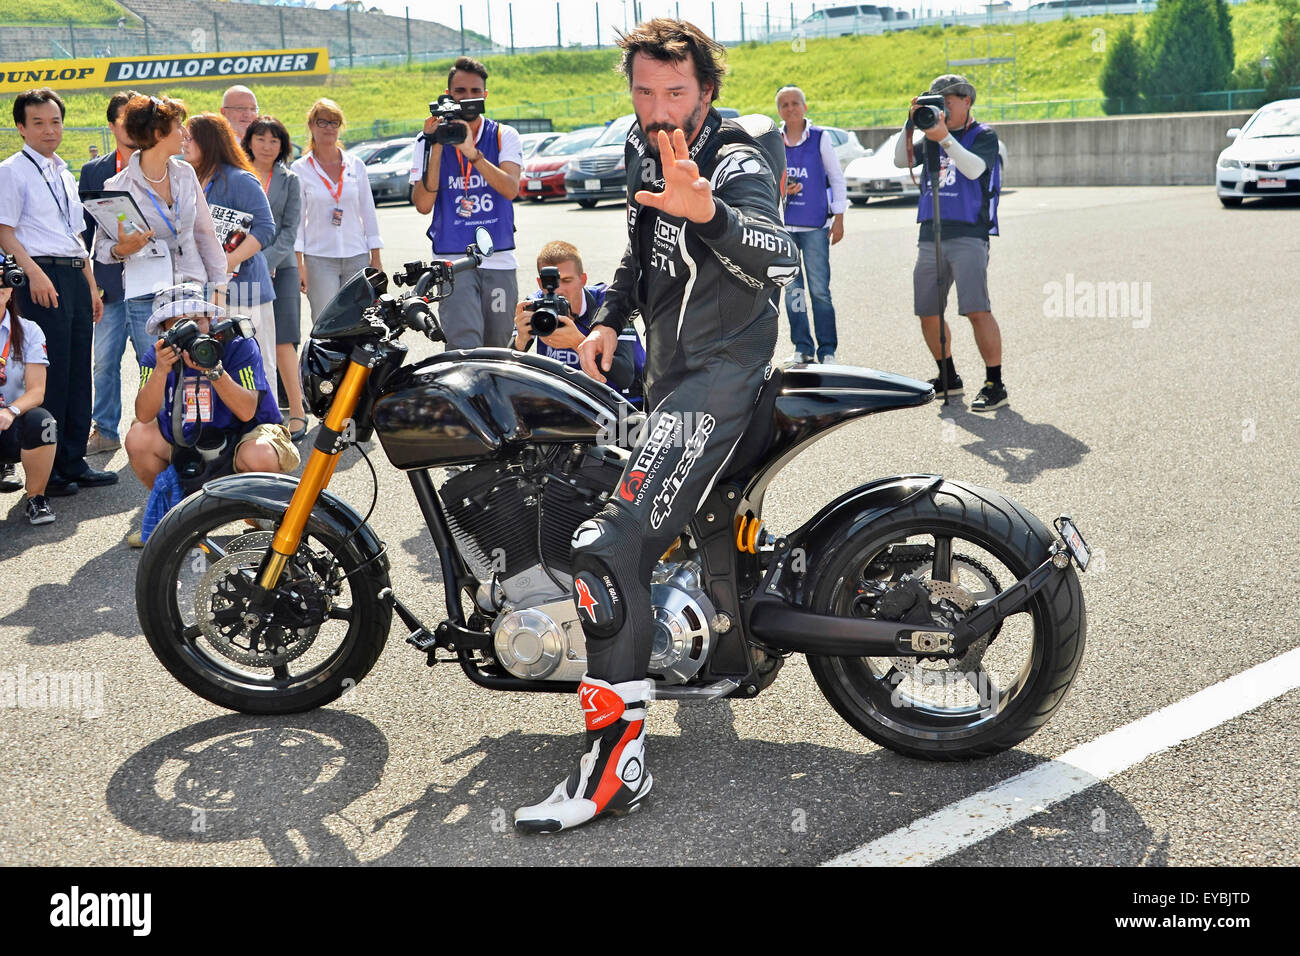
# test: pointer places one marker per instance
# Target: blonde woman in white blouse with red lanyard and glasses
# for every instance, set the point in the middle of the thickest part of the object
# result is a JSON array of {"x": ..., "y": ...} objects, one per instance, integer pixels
[{"x": 340, "y": 231}]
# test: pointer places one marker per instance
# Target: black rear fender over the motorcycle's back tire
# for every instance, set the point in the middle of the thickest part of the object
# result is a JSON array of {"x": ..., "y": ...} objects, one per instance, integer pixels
[{"x": 824, "y": 534}]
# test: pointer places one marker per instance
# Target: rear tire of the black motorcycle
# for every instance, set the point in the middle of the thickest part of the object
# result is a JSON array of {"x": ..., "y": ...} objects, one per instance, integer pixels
[{"x": 1021, "y": 543}]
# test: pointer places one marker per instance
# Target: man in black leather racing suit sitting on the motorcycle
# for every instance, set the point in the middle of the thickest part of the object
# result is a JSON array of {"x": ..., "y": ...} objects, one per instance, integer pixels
[{"x": 705, "y": 261}]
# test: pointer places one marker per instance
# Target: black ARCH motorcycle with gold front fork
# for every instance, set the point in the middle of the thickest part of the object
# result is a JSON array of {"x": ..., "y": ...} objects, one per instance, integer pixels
[{"x": 939, "y": 618}]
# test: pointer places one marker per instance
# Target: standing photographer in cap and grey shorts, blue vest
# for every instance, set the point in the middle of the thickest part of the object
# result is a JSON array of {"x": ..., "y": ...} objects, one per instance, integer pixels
[{"x": 964, "y": 157}]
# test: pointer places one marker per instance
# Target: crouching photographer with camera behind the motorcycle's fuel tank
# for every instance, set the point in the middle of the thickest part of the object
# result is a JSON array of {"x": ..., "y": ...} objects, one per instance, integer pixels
[{"x": 560, "y": 318}]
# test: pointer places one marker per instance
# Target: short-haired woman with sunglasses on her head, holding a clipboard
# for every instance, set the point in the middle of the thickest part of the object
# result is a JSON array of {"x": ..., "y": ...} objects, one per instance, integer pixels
[{"x": 180, "y": 244}]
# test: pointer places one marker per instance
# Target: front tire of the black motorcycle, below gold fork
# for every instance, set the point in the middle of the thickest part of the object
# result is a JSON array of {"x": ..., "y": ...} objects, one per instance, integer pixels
[{"x": 205, "y": 673}]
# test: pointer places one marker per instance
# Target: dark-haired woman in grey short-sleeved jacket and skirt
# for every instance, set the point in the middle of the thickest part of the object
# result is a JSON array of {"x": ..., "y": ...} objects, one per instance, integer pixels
[{"x": 268, "y": 148}]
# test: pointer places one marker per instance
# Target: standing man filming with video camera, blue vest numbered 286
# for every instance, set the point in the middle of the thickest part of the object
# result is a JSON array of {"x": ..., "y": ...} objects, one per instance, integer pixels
[{"x": 466, "y": 171}]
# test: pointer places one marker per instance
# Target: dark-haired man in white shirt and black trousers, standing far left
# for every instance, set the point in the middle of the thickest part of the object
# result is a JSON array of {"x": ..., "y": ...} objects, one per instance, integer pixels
[{"x": 41, "y": 226}]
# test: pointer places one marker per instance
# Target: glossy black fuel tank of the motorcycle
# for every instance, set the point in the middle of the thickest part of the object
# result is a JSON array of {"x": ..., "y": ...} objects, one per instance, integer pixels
[{"x": 470, "y": 405}]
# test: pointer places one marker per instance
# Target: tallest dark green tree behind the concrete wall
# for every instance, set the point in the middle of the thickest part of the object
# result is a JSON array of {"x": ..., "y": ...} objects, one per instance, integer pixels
[{"x": 1185, "y": 54}]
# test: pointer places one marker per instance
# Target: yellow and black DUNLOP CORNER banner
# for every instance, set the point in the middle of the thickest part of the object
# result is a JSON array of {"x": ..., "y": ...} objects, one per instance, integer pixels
[{"x": 125, "y": 71}]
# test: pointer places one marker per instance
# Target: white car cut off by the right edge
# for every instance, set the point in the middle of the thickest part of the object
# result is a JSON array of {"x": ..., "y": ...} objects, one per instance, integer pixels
[{"x": 1264, "y": 159}]
